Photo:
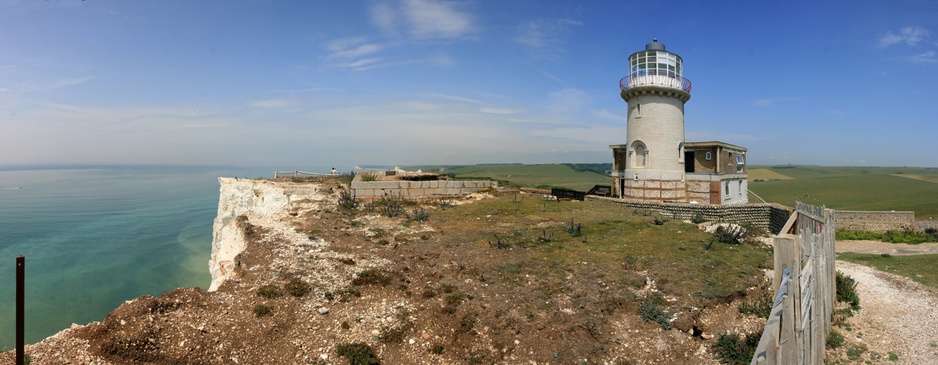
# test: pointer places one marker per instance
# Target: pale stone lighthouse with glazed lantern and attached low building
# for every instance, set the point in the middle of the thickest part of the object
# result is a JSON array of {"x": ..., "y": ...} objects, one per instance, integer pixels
[{"x": 655, "y": 163}]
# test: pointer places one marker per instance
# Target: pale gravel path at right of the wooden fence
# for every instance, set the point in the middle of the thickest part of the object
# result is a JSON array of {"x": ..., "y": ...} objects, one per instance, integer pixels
[{"x": 897, "y": 315}]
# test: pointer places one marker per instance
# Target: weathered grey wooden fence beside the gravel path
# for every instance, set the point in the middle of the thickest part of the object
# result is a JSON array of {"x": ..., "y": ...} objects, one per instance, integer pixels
[{"x": 800, "y": 320}]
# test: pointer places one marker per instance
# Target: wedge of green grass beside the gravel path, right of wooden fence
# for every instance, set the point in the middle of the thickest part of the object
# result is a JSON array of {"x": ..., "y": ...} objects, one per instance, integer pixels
[{"x": 919, "y": 268}]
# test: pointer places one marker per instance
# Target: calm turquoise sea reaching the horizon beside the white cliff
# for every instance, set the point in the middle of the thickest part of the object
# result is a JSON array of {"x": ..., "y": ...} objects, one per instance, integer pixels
[{"x": 96, "y": 236}]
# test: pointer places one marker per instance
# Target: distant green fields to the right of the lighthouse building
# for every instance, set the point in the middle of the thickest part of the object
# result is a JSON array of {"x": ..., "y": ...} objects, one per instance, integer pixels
[{"x": 855, "y": 188}]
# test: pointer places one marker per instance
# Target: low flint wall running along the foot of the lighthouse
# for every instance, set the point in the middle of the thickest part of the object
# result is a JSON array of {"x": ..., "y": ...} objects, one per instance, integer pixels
[{"x": 771, "y": 217}]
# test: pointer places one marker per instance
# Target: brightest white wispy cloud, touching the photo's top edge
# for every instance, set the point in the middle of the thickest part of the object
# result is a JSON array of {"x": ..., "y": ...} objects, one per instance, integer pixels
[{"x": 423, "y": 19}]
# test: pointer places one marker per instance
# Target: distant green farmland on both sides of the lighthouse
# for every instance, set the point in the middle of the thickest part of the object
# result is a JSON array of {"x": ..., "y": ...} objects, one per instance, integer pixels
[{"x": 847, "y": 188}]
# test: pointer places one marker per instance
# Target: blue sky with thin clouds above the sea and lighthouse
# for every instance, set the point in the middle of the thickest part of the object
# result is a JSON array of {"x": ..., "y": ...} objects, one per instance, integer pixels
[{"x": 405, "y": 82}]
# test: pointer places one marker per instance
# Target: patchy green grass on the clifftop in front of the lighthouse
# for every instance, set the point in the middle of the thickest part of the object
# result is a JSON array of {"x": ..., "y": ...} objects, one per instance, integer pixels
[{"x": 613, "y": 236}]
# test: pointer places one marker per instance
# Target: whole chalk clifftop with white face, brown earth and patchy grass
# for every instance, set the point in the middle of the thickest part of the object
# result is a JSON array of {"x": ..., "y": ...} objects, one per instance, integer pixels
[{"x": 484, "y": 278}]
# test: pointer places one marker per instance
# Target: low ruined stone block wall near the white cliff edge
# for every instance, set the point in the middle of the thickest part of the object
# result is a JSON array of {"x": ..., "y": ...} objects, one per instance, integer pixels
[{"x": 365, "y": 189}]
